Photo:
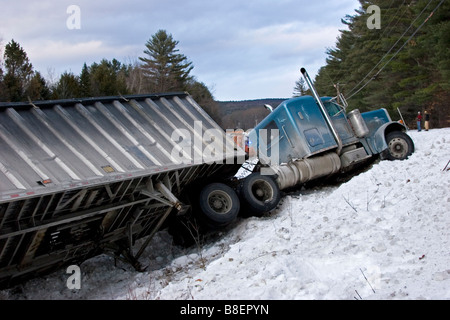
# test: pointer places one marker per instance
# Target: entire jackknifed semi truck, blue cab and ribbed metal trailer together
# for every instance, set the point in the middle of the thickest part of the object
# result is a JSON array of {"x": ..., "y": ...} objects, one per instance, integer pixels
[{"x": 82, "y": 177}]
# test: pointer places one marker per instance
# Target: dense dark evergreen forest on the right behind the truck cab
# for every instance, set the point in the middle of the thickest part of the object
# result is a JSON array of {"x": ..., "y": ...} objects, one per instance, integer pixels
[{"x": 403, "y": 66}]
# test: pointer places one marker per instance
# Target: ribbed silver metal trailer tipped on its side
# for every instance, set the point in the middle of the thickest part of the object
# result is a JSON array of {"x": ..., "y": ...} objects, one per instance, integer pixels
[{"x": 83, "y": 177}]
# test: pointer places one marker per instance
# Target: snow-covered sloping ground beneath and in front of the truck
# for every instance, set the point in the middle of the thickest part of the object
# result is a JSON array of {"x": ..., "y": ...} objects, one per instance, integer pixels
[{"x": 384, "y": 234}]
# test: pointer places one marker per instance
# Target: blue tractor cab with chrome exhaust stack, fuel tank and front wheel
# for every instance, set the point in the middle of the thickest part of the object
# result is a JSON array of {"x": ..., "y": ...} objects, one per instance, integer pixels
[{"x": 310, "y": 137}]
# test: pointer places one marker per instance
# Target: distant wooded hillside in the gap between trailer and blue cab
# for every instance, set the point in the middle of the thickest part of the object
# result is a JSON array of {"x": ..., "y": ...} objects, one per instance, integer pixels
[{"x": 244, "y": 114}]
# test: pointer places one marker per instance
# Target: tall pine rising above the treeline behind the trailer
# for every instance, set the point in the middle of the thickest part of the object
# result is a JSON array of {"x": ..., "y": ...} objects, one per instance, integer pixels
[{"x": 165, "y": 68}]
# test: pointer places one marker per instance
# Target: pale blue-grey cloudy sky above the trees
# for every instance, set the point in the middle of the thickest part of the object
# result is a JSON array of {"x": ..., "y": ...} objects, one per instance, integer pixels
[{"x": 241, "y": 49}]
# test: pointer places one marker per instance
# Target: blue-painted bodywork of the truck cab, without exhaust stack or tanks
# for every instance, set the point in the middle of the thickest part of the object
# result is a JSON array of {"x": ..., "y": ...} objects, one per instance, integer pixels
[{"x": 303, "y": 131}]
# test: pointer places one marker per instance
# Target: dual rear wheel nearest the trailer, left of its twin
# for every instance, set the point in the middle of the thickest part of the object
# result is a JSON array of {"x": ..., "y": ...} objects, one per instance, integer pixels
[{"x": 219, "y": 204}]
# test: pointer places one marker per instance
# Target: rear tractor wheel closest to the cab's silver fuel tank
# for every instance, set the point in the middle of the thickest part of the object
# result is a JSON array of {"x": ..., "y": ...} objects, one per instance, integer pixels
[{"x": 260, "y": 194}]
